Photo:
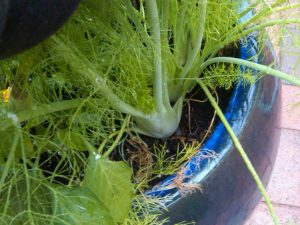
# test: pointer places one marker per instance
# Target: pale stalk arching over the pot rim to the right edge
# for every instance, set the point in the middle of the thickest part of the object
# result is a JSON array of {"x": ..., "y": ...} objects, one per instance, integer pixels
[{"x": 256, "y": 66}]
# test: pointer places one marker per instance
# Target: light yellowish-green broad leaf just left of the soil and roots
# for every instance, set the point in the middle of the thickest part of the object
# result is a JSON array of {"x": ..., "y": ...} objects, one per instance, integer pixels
[{"x": 111, "y": 182}]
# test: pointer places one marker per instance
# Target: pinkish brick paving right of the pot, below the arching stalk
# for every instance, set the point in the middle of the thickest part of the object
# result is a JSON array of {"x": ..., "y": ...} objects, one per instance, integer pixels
[{"x": 284, "y": 186}]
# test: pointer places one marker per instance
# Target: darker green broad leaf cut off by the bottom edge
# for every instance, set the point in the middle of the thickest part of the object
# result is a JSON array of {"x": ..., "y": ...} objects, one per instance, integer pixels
[{"x": 79, "y": 206}]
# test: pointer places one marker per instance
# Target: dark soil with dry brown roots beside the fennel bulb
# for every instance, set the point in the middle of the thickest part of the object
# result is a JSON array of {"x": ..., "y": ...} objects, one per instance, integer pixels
[{"x": 196, "y": 118}]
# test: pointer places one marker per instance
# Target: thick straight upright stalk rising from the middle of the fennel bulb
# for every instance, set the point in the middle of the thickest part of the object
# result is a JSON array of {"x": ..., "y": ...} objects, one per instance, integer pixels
[{"x": 152, "y": 11}]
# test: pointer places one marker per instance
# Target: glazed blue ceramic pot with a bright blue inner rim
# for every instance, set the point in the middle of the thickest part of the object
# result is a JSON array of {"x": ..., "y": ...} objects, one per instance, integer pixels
[{"x": 229, "y": 193}]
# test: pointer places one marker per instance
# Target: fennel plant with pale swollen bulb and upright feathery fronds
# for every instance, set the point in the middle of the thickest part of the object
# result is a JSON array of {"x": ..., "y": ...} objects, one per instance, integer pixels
[{"x": 161, "y": 46}]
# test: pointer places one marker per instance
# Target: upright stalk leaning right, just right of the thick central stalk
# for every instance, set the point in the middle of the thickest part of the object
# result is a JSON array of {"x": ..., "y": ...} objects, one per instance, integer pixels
[{"x": 197, "y": 46}]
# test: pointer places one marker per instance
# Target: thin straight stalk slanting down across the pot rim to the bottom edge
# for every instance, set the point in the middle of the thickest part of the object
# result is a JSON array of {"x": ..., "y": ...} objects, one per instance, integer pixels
[{"x": 242, "y": 152}]
